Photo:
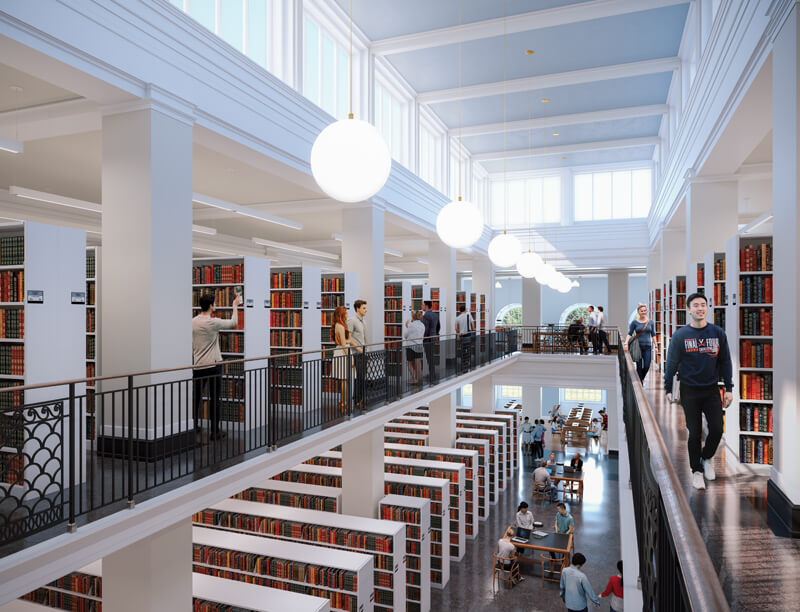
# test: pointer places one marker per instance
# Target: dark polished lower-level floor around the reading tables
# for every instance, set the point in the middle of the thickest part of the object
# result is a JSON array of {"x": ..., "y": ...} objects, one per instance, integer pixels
[{"x": 596, "y": 536}]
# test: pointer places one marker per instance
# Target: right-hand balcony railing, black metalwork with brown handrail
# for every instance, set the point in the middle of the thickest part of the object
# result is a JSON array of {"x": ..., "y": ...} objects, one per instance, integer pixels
[{"x": 675, "y": 568}]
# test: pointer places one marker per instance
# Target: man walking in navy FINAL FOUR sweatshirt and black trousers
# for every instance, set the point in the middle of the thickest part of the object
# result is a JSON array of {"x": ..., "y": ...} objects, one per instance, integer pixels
[{"x": 699, "y": 355}]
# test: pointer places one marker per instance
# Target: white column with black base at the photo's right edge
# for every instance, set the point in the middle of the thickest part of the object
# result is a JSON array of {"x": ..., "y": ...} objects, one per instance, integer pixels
[{"x": 783, "y": 491}]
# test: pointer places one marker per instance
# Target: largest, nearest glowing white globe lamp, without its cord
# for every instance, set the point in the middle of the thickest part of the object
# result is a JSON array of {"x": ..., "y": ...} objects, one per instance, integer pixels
[{"x": 350, "y": 160}]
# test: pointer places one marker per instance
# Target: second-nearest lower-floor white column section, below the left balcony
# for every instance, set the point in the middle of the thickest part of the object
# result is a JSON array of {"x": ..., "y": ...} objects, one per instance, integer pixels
[{"x": 362, "y": 474}]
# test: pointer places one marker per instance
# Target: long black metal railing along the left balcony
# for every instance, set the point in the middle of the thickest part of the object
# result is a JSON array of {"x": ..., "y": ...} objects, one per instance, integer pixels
[{"x": 70, "y": 455}]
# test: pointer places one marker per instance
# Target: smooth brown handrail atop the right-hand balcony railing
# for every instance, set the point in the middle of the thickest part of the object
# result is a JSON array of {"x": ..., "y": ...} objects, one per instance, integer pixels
[{"x": 696, "y": 567}]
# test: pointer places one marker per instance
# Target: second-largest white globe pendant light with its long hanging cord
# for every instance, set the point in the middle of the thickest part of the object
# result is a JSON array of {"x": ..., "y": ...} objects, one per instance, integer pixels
[{"x": 460, "y": 223}]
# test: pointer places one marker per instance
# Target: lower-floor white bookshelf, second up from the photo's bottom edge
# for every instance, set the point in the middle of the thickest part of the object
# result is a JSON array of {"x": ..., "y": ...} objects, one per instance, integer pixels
[{"x": 343, "y": 577}]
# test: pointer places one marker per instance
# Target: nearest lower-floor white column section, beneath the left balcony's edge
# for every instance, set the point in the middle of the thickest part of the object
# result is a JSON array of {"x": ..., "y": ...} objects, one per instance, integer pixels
[{"x": 153, "y": 574}]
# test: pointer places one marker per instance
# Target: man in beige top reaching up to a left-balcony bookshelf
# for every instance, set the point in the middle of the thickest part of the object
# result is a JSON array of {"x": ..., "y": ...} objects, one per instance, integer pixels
[{"x": 207, "y": 360}]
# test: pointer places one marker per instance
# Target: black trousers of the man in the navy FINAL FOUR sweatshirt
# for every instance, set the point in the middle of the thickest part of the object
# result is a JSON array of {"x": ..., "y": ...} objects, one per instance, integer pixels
[{"x": 696, "y": 402}]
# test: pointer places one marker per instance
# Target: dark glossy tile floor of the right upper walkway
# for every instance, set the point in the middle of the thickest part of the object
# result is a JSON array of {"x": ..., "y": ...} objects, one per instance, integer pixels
[{"x": 758, "y": 570}]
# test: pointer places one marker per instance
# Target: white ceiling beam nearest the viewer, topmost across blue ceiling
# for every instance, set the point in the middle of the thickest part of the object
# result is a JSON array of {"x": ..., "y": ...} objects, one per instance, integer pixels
[{"x": 526, "y": 22}]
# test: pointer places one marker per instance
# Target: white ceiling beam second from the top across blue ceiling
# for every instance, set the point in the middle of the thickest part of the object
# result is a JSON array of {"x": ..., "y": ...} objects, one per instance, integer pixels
[{"x": 547, "y": 81}]
